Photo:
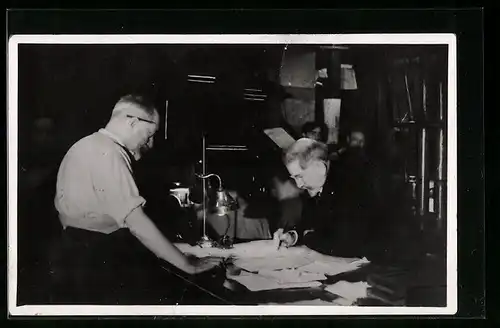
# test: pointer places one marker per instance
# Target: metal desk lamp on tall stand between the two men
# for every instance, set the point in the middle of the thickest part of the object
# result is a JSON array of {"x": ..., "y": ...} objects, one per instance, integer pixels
[{"x": 220, "y": 204}]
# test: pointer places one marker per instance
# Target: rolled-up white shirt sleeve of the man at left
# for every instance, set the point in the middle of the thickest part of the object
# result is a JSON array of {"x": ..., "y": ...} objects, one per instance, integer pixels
[{"x": 116, "y": 187}]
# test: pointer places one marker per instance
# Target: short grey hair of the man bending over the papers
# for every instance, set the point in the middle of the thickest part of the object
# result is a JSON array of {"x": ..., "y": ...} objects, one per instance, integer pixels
[{"x": 305, "y": 150}]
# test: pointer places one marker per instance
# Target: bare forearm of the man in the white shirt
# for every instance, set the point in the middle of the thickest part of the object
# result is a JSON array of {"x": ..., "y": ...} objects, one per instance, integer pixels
[{"x": 145, "y": 230}]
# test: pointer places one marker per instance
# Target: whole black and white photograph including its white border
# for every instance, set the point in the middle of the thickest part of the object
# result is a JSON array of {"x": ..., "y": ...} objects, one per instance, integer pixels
[{"x": 280, "y": 174}]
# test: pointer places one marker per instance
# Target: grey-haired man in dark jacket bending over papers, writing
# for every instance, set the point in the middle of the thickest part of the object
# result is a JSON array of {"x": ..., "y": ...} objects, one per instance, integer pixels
[{"x": 336, "y": 217}]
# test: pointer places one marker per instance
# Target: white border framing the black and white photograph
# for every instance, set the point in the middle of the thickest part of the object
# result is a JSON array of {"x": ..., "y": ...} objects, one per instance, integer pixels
[{"x": 237, "y": 310}]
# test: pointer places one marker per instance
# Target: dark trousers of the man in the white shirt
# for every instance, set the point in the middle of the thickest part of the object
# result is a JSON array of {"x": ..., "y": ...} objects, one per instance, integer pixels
[{"x": 96, "y": 268}]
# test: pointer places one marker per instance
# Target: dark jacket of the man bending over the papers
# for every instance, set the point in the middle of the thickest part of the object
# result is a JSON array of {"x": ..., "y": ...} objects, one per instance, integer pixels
[{"x": 341, "y": 216}]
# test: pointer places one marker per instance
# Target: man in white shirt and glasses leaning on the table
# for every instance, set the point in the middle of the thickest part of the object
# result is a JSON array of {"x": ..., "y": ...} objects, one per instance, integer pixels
[{"x": 101, "y": 209}]
